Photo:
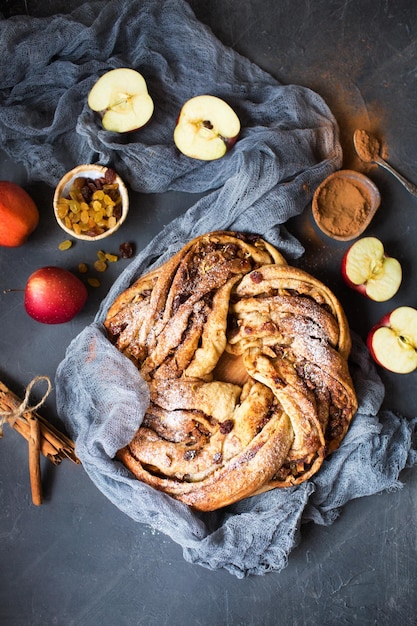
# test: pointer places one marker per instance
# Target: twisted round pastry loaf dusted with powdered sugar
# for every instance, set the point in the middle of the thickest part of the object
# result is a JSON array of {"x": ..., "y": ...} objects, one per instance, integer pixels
[{"x": 246, "y": 362}]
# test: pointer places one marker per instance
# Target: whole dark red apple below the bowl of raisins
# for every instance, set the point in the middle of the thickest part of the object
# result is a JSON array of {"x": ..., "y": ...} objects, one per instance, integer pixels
[{"x": 54, "y": 295}]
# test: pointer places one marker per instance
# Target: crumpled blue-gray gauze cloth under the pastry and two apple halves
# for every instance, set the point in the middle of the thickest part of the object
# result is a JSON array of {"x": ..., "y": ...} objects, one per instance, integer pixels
[{"x": 288, "y": 145}]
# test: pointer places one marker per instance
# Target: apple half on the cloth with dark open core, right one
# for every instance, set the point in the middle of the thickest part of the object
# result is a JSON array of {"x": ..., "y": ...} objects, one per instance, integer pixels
[{"x": 207, "y": 127}]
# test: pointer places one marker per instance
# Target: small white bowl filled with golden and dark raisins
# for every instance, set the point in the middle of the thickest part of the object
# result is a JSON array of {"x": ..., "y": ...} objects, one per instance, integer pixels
[{"x": 91, "y": 202}]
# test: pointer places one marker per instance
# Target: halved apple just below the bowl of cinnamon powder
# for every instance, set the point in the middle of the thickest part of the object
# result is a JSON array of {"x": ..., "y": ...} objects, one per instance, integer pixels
[{"x": 367, "y": 269}]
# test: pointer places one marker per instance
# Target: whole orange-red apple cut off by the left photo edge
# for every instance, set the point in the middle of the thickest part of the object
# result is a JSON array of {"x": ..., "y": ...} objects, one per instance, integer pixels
[{"x": 19, "y": 215}]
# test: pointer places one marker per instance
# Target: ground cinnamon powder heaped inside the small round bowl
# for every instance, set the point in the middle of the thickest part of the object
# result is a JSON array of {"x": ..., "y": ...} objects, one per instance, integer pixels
[{"x": 343, "y": 207}]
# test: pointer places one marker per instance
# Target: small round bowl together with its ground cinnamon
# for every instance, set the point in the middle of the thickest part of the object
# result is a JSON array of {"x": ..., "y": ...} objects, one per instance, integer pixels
[{"x": 344, "y": 204}]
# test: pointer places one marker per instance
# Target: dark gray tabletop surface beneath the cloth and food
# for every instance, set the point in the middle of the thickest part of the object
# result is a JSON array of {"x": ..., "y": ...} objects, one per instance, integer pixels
[{"x": 77, "y": 560}]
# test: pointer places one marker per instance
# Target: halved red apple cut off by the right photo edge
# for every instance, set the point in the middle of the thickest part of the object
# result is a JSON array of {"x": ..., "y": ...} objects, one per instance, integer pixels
[{"x": 392, "y": 342}]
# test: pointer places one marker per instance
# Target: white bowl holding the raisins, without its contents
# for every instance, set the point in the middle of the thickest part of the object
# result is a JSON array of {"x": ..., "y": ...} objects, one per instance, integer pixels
[{"x": 93, "y": 172}]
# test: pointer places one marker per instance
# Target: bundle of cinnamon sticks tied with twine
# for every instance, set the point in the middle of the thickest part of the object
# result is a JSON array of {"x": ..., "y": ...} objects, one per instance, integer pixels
[{"x": 42, "y": 437}]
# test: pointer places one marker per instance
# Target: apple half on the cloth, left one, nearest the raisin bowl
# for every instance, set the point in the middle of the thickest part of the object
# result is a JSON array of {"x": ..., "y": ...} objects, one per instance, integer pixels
[{"x": 122, "y": 99}]
